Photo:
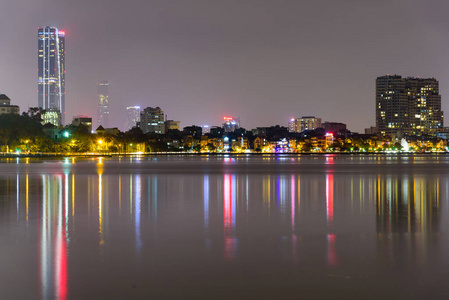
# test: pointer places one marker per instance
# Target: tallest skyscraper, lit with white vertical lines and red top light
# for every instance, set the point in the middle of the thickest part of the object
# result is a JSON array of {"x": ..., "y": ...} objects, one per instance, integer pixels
[{"x": 51, "y": 70}]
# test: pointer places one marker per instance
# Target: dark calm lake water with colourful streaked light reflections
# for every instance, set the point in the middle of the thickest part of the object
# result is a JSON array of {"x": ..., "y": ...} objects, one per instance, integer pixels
[{"x": 310, "y": 227}]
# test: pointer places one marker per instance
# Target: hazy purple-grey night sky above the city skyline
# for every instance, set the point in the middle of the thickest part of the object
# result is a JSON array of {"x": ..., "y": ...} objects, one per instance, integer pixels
[{"x": 264, "y": 61}]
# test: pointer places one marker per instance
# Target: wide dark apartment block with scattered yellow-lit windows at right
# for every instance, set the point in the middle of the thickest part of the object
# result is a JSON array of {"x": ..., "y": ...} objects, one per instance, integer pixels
[{"x": 410, "y": 105}]
